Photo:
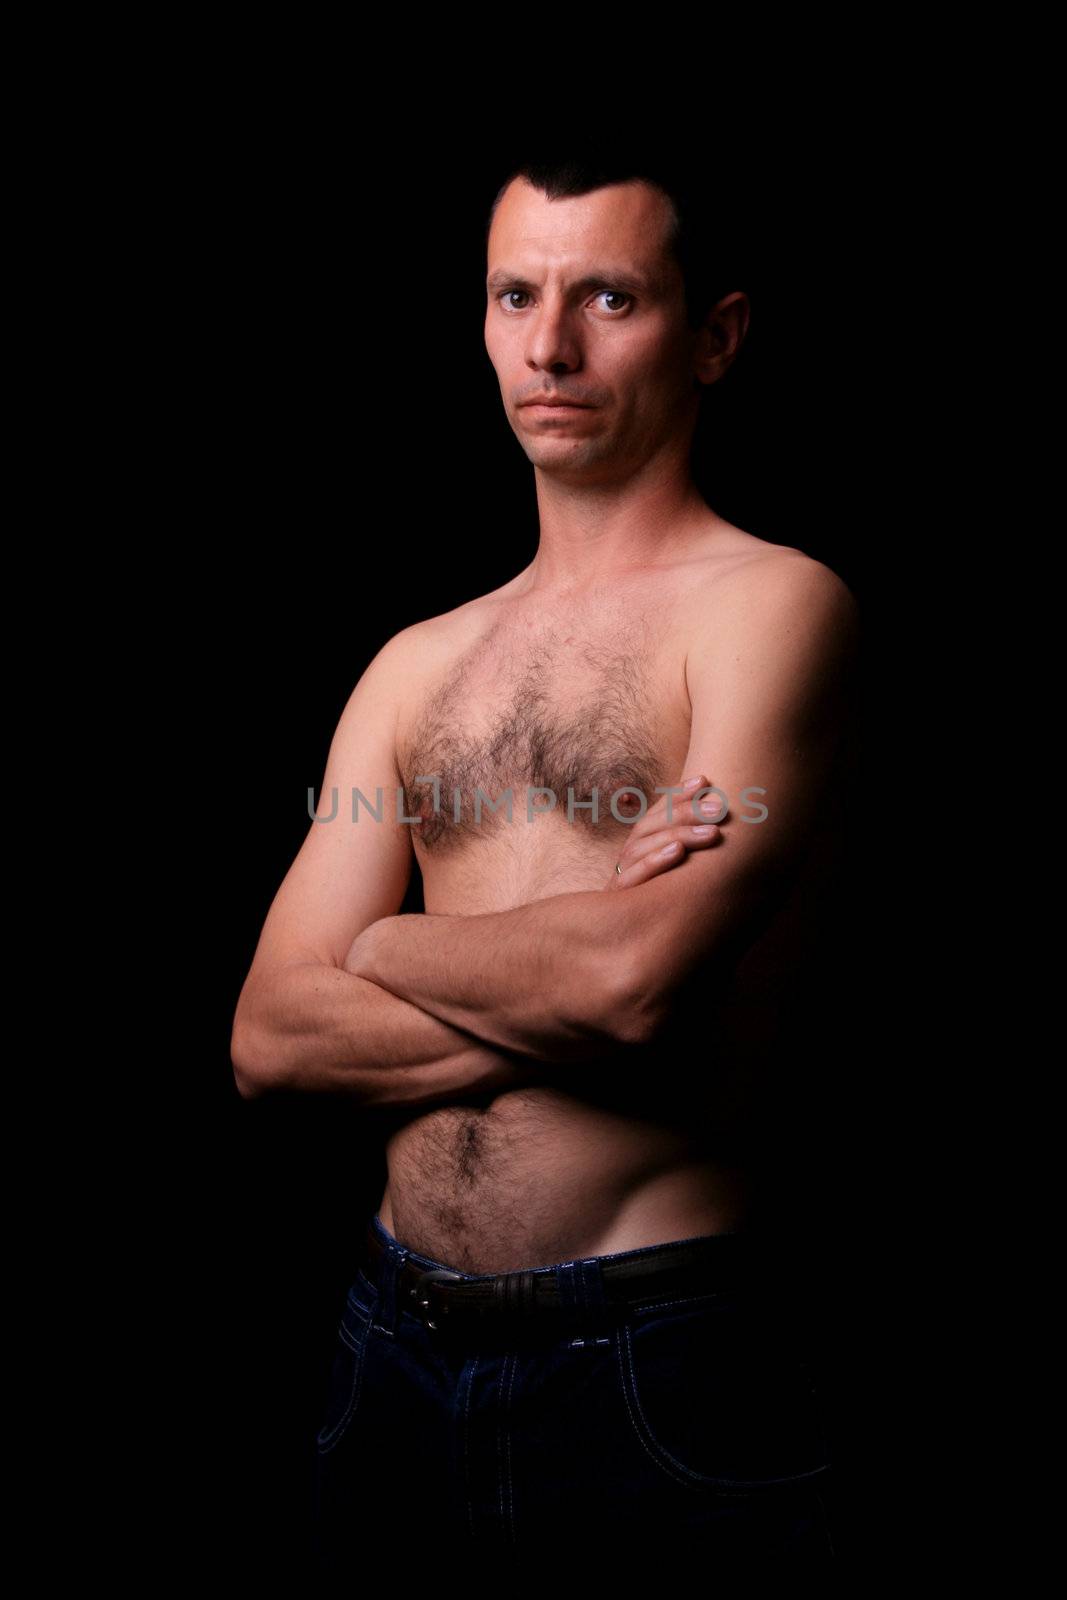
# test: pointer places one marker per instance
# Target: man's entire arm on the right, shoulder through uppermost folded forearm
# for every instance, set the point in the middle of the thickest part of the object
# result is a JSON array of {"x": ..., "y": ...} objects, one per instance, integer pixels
[{"x": 578, "y": 975}]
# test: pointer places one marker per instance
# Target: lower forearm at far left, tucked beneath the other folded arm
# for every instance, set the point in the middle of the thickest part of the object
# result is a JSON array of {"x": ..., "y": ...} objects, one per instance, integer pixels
[{"x": 322, "y": 1028}]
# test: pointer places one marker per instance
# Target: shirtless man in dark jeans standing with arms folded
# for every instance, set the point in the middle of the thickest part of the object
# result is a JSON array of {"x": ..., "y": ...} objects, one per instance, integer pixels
[{"x": 567, "y": 1047}]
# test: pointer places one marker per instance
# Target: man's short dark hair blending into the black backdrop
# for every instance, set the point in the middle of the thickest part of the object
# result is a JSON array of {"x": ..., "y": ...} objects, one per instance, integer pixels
[{"x": 703, "y": 238}]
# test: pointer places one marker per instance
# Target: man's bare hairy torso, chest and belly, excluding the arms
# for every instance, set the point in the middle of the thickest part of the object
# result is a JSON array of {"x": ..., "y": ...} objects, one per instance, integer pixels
[{"x": 543, "y": 690}]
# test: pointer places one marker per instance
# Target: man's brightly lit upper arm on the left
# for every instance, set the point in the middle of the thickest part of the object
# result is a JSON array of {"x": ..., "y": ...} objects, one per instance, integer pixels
[{"x": 356, "y": 862}]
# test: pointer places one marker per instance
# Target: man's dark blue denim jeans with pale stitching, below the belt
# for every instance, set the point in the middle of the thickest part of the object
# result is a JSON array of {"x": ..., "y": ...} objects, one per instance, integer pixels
[{"x": 690, "y": 1415}]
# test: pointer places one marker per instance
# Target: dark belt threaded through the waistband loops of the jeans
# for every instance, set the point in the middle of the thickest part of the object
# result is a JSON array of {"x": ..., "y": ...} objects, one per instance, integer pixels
[{"x": 695, "y": 1266}]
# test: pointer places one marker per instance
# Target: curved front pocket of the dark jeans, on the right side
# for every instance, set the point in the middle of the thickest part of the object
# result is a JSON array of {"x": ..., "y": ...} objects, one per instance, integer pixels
[{"x": 719, "y": 1399}]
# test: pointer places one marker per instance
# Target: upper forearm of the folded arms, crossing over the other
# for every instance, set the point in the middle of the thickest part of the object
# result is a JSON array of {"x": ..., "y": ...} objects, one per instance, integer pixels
[{"x": 546, "y": 980}]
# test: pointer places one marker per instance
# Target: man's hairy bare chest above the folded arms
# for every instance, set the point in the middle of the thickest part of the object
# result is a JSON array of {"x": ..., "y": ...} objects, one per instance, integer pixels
[{"x": 546, "y": 730}]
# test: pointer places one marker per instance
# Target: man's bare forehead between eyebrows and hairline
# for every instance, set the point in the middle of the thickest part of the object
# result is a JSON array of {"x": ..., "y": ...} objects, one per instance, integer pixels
[{"x": 625, "y": 225}]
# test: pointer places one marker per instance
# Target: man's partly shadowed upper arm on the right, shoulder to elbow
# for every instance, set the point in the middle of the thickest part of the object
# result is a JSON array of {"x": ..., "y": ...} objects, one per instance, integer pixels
[{"x": 770, "y": 695}]
